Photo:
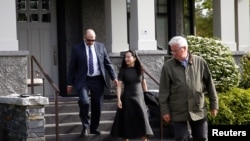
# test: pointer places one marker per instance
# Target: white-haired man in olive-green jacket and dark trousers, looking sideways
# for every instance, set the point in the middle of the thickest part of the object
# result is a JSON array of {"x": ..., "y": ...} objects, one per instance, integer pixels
[{"x": 184, "y": 83}]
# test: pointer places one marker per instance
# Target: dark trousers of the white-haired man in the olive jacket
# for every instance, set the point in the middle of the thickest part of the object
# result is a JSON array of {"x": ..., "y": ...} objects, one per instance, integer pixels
[{"x": 191, "y": 130}]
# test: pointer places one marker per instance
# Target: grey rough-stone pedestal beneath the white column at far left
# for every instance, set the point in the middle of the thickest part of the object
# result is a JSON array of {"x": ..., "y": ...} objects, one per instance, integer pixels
[{"x": 13, "y": 72}]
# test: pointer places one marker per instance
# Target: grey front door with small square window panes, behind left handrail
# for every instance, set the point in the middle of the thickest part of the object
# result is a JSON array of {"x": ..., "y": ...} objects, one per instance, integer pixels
[{"x": 36, "y": 32}]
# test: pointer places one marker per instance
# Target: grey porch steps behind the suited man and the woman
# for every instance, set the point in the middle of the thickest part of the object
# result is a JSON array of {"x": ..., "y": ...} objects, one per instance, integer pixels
[{"x": 70, "y": 125}]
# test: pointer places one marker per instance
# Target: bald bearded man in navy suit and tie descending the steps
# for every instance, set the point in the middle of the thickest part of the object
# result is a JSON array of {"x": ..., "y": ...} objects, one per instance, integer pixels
[{"x": 86, "y": 73}]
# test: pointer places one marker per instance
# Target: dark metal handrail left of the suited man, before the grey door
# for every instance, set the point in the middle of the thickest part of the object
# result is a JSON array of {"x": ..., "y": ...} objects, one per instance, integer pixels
[{"x": 51, "y": 82}]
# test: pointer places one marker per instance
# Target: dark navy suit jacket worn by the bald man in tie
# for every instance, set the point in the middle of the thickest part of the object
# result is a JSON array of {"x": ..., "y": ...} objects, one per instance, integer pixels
[{"x": 78, "y": 66}]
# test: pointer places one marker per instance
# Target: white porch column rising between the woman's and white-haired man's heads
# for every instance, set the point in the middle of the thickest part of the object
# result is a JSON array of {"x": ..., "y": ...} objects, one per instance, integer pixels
[{"x": 142, "y": 25}]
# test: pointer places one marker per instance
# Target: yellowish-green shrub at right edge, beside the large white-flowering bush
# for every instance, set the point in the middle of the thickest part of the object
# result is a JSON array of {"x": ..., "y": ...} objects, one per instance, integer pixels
[{"x": 245, "y": 75}]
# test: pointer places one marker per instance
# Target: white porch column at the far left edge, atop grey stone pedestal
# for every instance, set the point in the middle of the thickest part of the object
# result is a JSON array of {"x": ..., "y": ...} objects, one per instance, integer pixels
[{"x": 8, "y": 31}]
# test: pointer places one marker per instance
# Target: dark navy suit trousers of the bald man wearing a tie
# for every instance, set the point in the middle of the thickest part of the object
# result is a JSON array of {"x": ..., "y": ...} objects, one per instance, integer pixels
[{"x": 91, "y": 95}]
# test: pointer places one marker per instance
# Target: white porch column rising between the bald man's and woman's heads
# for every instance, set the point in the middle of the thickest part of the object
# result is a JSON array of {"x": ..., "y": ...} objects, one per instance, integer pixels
[{"x": 116, "y": 25}]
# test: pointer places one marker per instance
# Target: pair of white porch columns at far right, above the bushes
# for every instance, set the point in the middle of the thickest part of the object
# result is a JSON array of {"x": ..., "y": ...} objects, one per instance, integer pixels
[{"x": 231, "y": 23}]
